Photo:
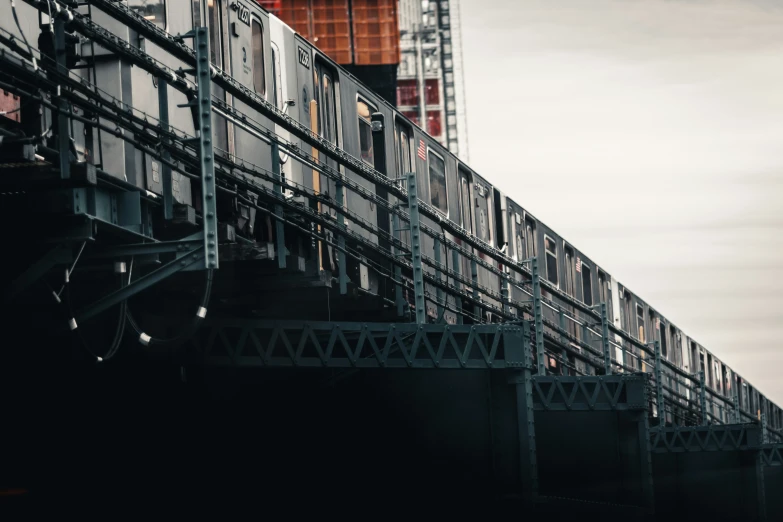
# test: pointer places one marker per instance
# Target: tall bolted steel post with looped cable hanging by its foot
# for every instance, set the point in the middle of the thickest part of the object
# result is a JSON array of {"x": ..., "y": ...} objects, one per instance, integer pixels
[{"x": 204, "y": 109}]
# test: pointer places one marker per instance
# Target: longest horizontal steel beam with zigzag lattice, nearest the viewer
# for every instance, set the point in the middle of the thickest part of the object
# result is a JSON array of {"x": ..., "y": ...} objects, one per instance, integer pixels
[{"x": 252, "y": 342}]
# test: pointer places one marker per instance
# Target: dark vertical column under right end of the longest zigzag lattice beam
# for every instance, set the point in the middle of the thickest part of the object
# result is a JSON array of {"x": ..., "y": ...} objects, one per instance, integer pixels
[{"x": 523, "y": 382}]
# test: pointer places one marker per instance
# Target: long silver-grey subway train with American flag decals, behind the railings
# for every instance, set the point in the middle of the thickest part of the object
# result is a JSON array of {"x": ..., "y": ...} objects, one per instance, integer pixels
[{"x": 268, "y": 57}]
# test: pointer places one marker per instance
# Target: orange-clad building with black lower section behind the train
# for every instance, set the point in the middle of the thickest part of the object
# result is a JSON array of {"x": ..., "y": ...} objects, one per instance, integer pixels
[{"x": 363, "y": 36}]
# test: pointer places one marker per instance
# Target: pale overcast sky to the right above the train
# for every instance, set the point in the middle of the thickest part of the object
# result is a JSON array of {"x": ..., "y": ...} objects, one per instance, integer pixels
[{"x": 649, "y": 133}]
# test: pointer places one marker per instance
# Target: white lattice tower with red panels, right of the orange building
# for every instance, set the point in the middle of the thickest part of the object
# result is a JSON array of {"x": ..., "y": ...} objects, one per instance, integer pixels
[{"x": 430, "y": 84}]
